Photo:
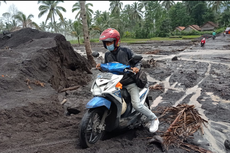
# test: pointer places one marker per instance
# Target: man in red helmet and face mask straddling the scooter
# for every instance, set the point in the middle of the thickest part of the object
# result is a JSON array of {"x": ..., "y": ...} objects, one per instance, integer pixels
[{"x": 111, "y": 38}]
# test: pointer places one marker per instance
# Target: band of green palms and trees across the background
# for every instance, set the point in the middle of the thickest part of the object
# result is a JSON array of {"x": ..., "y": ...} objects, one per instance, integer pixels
[{"x": 158, "y": 19}]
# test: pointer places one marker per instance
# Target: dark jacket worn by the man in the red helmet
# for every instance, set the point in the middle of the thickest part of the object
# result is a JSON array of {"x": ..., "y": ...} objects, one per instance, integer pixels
[{"x": 122, "y": 55}]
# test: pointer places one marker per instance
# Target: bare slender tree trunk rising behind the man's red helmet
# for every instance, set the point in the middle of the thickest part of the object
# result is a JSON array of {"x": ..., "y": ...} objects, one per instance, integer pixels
[{"x": 86, "y": 35}]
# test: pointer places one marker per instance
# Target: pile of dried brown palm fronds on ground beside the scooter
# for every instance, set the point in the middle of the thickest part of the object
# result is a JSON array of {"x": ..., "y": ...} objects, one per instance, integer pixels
[{"x": 184, "y": 121}]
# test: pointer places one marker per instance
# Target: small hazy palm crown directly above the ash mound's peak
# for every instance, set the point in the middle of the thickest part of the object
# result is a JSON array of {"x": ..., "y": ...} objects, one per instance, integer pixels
[{"x": 25, "y": 20}]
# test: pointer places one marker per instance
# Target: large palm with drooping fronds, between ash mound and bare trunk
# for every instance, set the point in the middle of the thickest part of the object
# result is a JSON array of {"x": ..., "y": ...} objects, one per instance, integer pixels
[{"x": 52, "y": 8}]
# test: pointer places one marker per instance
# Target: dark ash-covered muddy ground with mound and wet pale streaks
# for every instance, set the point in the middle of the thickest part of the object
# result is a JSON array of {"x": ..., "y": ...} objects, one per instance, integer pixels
[{"x": 32, "y": 120}]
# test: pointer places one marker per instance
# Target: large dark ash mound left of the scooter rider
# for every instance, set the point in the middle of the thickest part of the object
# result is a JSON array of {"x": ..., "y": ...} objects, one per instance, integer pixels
[{"x": 35, "y": 65}]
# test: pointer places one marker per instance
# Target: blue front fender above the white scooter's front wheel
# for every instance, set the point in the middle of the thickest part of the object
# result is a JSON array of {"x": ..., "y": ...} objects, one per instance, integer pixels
[{"x": 98, "y": 102}]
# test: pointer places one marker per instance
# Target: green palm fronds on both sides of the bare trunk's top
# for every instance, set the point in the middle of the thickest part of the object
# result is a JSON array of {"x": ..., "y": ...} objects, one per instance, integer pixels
[{"x": 77, "y": 7}]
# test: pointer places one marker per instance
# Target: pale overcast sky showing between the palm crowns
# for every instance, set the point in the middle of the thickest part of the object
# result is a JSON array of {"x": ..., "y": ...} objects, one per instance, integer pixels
[{"x": 31, "y": 7}]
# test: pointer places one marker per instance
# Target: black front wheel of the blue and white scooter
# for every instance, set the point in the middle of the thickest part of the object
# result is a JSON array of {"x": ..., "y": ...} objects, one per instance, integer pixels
[{"x": 89, "y": 131}]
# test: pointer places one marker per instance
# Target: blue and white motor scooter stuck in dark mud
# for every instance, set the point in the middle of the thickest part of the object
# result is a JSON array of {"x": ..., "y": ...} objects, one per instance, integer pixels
[{"x": 110, "y": 109}]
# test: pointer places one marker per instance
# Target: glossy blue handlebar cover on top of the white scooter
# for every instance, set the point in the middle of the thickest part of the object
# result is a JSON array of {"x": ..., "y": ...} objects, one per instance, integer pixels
[{"x": 115, "y": 68}]
